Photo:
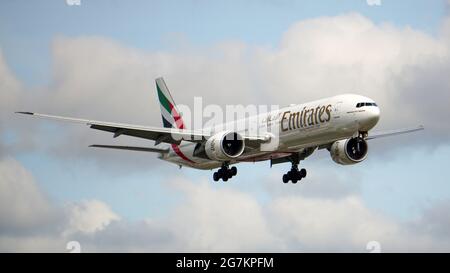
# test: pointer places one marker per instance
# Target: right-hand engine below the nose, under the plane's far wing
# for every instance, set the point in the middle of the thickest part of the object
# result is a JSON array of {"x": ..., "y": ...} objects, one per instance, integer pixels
[{"x": 349, "y": 151}]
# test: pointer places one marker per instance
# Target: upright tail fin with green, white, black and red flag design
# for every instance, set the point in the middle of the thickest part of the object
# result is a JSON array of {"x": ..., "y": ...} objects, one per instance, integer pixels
[{"x": 169, "y": 112}]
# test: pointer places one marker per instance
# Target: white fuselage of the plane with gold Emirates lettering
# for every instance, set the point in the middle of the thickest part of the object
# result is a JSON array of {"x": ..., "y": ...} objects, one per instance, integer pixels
[{"x": 297, "y": 127}]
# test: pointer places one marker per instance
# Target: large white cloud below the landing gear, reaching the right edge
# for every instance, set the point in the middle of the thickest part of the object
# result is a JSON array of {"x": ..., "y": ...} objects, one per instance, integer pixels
[{"x": 223, "y": 219}]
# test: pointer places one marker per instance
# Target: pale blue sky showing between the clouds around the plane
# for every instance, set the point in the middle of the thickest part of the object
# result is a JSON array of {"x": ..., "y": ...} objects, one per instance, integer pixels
[{"x": 392, "y": 183}]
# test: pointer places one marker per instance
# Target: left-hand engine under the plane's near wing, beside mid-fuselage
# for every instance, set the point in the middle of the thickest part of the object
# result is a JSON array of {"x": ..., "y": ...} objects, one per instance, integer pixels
[{"x": 224, "y": 146}]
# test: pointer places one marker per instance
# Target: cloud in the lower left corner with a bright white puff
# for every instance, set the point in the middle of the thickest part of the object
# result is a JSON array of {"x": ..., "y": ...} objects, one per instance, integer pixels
[{"x": 29, "y": 221}]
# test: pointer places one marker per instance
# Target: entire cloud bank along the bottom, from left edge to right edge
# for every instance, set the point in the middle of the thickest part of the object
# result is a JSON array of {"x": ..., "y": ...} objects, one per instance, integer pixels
[{"x": 210, "y": 218}]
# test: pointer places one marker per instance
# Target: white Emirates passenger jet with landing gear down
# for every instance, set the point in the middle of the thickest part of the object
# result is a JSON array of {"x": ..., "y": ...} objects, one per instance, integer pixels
[{"x": 340, "y": 124}]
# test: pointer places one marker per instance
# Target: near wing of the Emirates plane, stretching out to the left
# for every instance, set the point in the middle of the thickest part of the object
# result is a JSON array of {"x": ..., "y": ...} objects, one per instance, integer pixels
[{"x": 159, "y": 135}]
